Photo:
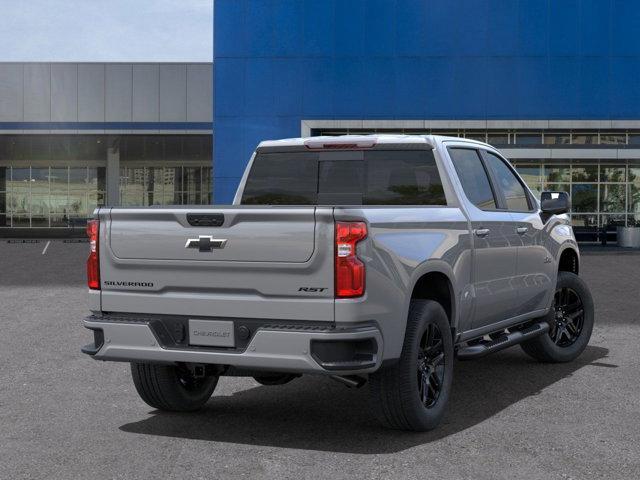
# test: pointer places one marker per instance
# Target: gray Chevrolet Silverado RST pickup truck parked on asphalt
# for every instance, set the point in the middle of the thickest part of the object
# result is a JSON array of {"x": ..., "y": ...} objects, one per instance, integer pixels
[{"x": 374, "y": 259}]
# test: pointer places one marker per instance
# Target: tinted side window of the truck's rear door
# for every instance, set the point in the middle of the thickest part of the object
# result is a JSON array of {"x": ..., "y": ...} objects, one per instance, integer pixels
[{"x": 473, "y": 177}]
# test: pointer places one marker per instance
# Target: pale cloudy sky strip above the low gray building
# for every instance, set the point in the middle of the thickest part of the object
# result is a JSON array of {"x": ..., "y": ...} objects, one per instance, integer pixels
[{"x": 106, "y": 30}]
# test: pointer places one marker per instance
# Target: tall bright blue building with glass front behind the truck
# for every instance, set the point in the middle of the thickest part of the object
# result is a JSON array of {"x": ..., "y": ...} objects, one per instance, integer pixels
[{"x": 554, "y": 85}]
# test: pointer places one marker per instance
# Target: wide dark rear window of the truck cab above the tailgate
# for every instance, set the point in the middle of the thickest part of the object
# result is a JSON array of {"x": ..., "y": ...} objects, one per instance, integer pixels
[{"x": 379, "y": 177}]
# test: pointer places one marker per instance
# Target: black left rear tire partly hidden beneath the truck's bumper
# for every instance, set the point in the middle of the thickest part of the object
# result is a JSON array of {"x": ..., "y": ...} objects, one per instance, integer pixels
[{"x": 171, "y": 387}]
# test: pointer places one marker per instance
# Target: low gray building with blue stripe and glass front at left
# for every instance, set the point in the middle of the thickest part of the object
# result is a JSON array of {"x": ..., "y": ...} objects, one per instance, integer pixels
[{"x": 74, "y": 136}]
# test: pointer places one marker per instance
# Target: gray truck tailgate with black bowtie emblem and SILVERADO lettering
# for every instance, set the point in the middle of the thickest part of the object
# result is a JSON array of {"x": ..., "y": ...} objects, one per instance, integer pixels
[{"x": 264, "y": 262}]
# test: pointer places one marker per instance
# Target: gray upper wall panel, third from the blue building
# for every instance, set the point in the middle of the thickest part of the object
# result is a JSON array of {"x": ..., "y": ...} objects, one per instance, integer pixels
[{"x": 146, "y": 91}]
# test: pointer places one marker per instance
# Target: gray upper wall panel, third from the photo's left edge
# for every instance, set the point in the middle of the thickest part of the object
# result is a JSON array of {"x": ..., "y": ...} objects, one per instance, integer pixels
[{"x": 64, "y": 92}]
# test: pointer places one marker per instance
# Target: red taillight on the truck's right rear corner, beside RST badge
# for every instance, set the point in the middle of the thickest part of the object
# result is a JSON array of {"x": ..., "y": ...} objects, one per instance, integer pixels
[{"x": 350, "y": 271}]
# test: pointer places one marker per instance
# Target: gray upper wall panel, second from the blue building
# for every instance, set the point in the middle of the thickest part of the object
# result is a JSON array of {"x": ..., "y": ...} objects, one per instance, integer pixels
[{"x": 173, "y": 93}]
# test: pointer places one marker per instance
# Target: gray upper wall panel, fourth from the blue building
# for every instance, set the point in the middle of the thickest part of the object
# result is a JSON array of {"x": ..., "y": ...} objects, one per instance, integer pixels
[{"x": 118, "y": 92}]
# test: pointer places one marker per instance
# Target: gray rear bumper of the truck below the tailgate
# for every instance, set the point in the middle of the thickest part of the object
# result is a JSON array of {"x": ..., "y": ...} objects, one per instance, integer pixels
[{"x": 294, "y": 349}]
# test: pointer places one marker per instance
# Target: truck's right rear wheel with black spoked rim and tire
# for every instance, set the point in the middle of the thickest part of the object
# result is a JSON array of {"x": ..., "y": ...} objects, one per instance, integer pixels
[{"x": 397, "y": 392}]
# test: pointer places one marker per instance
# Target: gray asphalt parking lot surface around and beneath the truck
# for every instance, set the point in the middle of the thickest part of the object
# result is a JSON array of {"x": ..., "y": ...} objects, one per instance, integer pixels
[{"x": 63, "y": 415}]
